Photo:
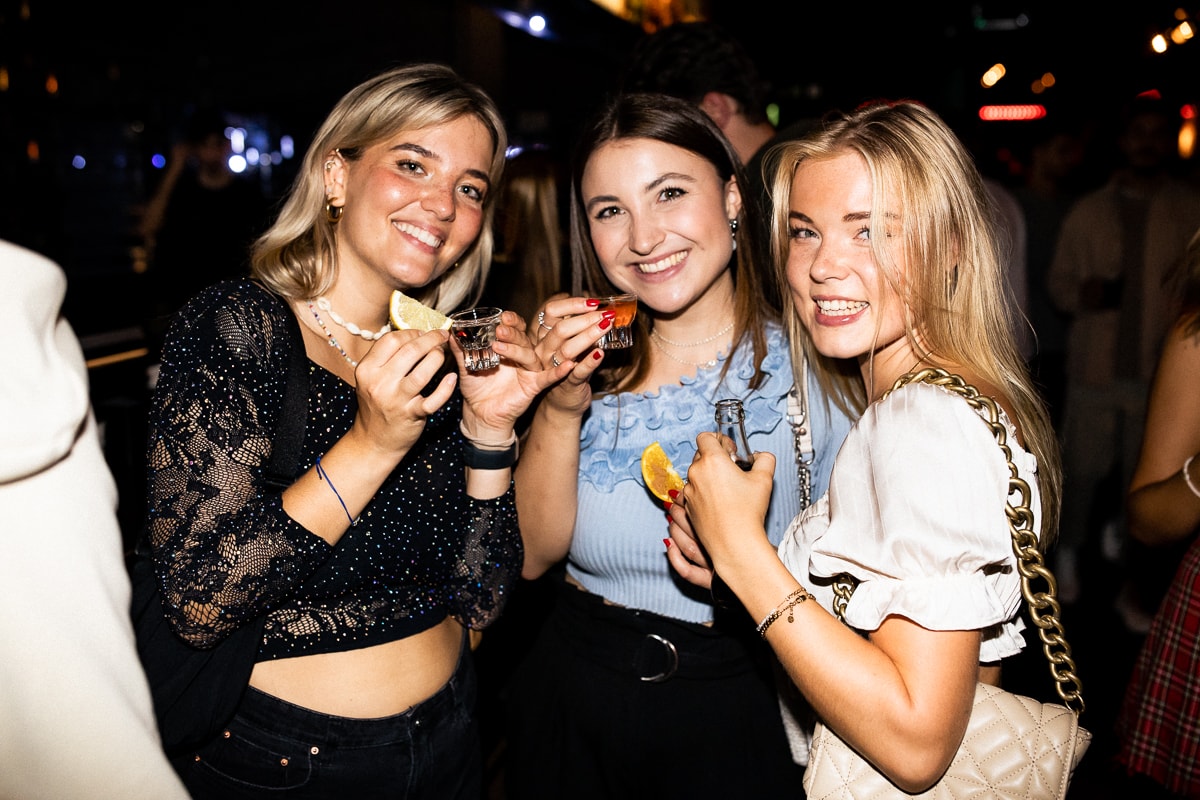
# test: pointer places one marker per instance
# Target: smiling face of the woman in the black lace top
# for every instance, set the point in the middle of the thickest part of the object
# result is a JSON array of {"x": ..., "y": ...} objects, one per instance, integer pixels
[{"x": 413, "y": 204}]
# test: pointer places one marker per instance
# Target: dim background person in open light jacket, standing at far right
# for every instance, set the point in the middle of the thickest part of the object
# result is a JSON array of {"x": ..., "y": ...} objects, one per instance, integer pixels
[{"x": 1117, "y": 248}]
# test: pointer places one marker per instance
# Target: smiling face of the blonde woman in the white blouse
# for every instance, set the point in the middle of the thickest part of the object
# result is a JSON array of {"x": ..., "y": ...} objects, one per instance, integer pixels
[{"x": 841, "y": 294}]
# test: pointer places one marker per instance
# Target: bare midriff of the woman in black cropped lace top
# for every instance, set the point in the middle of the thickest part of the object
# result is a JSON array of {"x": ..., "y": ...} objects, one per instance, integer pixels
[{"x": 376, "y": 682}]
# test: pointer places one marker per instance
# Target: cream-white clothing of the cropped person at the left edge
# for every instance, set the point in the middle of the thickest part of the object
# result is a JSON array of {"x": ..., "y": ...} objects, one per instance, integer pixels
[{"x": 76, "y": 717}]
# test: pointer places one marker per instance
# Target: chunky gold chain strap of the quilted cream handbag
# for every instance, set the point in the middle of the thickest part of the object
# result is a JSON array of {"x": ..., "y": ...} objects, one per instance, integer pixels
[{"x": 1045, "y": 609}]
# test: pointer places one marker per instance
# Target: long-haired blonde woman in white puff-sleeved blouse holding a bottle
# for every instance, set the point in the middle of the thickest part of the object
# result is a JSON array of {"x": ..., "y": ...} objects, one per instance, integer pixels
[{"x": 887, "y": 242}]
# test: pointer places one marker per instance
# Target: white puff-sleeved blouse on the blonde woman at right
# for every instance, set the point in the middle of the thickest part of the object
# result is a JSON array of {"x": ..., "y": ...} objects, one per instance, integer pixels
[{"x": 916, "y": 514}]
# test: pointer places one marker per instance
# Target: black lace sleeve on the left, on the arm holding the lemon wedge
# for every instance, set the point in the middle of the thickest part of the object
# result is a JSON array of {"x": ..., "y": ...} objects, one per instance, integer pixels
[{"x": 224, "y": 548}]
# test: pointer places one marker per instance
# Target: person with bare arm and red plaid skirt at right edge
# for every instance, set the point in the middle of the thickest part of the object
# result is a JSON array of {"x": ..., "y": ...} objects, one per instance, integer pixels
[{"x": 1160, "y": 724}]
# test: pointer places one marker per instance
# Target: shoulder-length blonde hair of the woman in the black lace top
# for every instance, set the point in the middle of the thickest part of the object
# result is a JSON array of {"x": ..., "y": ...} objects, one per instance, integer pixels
[{"x": 296, "y": 257}]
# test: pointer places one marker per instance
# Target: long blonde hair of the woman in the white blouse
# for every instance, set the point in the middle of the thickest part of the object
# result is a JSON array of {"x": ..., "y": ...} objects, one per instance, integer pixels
[{"x": 959, "y": 302}]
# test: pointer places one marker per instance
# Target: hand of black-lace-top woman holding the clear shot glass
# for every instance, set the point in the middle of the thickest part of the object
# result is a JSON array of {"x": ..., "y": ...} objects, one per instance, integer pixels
[{"x": 496, "y": 399}]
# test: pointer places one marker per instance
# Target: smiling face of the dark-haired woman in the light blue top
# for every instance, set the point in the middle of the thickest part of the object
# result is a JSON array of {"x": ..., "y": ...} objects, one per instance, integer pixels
[{"x": 659, "y": 218}]
